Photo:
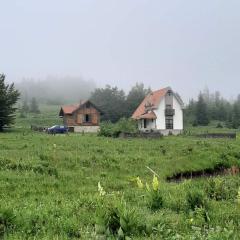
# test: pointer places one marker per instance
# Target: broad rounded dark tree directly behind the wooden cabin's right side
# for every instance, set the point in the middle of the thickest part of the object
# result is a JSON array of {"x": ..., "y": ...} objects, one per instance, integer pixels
[{"x": 111, "y": 101}]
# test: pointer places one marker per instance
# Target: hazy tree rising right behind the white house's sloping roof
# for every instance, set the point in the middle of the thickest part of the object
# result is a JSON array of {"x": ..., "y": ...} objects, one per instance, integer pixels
[{"x": 135, "y": 97}]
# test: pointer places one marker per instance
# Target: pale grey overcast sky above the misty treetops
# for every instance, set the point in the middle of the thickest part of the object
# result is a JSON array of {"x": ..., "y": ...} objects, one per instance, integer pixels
[{"x": 184, "y": 44}]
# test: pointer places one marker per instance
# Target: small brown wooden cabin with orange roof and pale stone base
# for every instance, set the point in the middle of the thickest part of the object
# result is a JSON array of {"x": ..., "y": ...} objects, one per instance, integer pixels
[{"x": 82, "y": 117}]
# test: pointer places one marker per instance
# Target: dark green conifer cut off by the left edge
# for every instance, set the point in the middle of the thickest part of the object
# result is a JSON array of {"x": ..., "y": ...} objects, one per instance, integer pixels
[{"x": 8, "y": 98}]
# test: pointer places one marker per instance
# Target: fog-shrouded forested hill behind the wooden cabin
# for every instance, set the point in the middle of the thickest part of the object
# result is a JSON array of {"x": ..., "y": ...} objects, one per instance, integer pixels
[{"x": 56, "y": 90}]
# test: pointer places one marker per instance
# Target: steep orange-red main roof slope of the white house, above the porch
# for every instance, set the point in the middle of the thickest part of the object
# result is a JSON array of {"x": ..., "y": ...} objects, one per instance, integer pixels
[{"x": 153, "y": 99}]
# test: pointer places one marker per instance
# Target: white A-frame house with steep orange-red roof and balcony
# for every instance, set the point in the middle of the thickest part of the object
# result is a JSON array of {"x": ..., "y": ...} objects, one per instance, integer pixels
[{"x": 161, "y": 110}]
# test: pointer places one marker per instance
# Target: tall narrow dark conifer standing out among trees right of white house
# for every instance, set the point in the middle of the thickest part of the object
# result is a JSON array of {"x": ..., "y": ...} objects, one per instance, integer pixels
[{"x": 201, "y": 111}]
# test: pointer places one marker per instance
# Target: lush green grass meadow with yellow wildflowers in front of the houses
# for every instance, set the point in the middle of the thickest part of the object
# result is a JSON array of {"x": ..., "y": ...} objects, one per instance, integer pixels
[{"x": 49, "y": 187}]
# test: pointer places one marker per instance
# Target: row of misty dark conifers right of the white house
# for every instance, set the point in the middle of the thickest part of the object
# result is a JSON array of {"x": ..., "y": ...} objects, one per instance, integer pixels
[{"x": 213, "y": 107}]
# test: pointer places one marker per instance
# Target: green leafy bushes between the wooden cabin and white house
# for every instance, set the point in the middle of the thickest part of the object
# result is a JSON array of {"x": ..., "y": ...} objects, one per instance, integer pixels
[{"x": 124, "y": 125}]
